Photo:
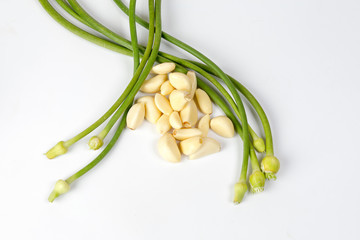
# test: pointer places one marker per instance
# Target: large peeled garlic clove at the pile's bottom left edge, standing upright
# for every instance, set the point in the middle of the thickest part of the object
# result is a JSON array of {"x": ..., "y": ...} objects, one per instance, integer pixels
[{"x": 168, "y": 148}]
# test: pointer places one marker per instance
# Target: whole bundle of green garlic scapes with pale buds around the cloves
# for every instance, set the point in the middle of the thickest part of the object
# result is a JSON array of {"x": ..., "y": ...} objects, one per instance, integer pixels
[{"x": 209, "y": 76}]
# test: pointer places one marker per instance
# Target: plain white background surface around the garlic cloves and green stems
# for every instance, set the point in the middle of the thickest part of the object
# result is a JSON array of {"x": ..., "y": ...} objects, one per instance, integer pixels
[{"x": 300, "y": 58}]
